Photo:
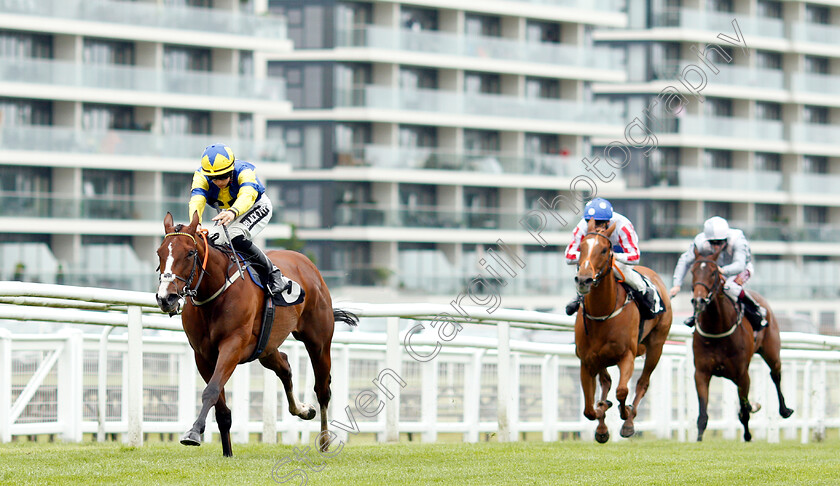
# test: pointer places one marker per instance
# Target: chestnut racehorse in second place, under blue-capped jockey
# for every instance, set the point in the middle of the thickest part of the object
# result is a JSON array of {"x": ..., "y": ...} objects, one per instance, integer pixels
[{"x": 607, "y": 332}]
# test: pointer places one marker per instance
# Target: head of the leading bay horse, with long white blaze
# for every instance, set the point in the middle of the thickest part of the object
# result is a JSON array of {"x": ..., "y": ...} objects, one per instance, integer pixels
[{"x": 179, "y": 263}]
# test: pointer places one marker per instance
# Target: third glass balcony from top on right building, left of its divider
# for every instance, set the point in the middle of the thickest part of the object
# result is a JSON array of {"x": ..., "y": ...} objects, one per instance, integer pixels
[{"x": 729, "y": 127}]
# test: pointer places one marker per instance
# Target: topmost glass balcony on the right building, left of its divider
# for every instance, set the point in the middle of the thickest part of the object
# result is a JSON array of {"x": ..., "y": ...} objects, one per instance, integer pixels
[{"x": 719, "y": 22}]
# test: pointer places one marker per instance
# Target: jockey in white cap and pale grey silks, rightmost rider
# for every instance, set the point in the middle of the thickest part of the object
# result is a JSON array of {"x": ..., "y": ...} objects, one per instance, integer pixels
[{"x": 735, "y": 264}]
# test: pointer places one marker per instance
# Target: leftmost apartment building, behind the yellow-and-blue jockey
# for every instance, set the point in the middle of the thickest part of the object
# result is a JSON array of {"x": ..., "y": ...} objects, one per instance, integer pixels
[{"x": 105, "y": 108}]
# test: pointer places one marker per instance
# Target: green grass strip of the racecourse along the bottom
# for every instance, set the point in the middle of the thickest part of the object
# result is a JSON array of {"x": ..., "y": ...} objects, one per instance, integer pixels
[{"x": 716, "y": 462}]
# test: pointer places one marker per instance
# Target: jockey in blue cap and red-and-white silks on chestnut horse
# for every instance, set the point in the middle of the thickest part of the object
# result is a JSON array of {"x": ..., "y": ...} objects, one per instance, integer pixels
[{"x": 625, "y": 246}]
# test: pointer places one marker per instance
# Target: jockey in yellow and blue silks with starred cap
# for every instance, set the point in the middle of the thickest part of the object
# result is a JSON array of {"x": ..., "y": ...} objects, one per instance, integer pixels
[{"x": 232, "y": 185}]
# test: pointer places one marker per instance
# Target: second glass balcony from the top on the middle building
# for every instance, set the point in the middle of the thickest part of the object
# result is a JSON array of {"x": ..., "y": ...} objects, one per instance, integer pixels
[{"x": 436, "y": 101}]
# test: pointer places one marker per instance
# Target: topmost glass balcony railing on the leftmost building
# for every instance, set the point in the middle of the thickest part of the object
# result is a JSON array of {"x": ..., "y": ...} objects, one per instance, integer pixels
[{"x": 144, "y": 14}]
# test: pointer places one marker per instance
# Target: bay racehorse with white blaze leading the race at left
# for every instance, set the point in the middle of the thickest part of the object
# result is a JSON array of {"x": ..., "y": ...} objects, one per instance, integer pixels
[{"x": 222, "y": 318}]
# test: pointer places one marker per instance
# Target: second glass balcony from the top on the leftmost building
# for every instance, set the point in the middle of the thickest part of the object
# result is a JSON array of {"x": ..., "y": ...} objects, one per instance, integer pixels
[{"x": 139, "y": 79}]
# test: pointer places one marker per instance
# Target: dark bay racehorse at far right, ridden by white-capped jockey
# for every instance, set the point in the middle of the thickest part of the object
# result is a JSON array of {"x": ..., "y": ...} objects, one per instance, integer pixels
[{"x": 724, "y": 342}]
